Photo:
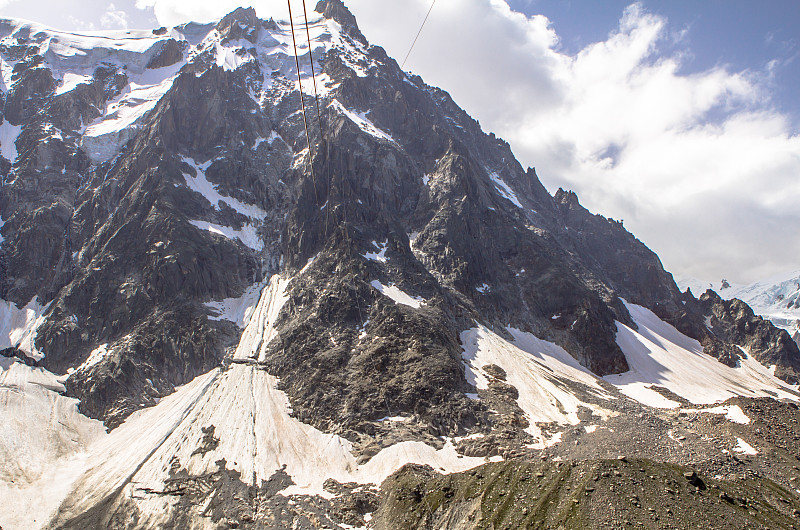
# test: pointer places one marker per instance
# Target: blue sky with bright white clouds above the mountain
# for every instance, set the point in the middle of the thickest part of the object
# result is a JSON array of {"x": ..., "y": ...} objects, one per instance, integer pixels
[{"x": 678, "y": 117}]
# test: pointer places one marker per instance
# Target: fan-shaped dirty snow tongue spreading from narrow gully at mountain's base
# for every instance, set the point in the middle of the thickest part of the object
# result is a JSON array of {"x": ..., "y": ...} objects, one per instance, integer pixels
[{"x": 259, "y": 439}]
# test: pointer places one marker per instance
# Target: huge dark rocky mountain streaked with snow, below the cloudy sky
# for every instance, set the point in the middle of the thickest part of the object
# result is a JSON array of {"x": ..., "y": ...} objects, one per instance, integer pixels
[{"x": 227, "y": 303}]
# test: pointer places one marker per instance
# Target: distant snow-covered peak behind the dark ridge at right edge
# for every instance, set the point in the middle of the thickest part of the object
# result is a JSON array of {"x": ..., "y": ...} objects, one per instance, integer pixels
[{"x": 776, "y": 298}]
